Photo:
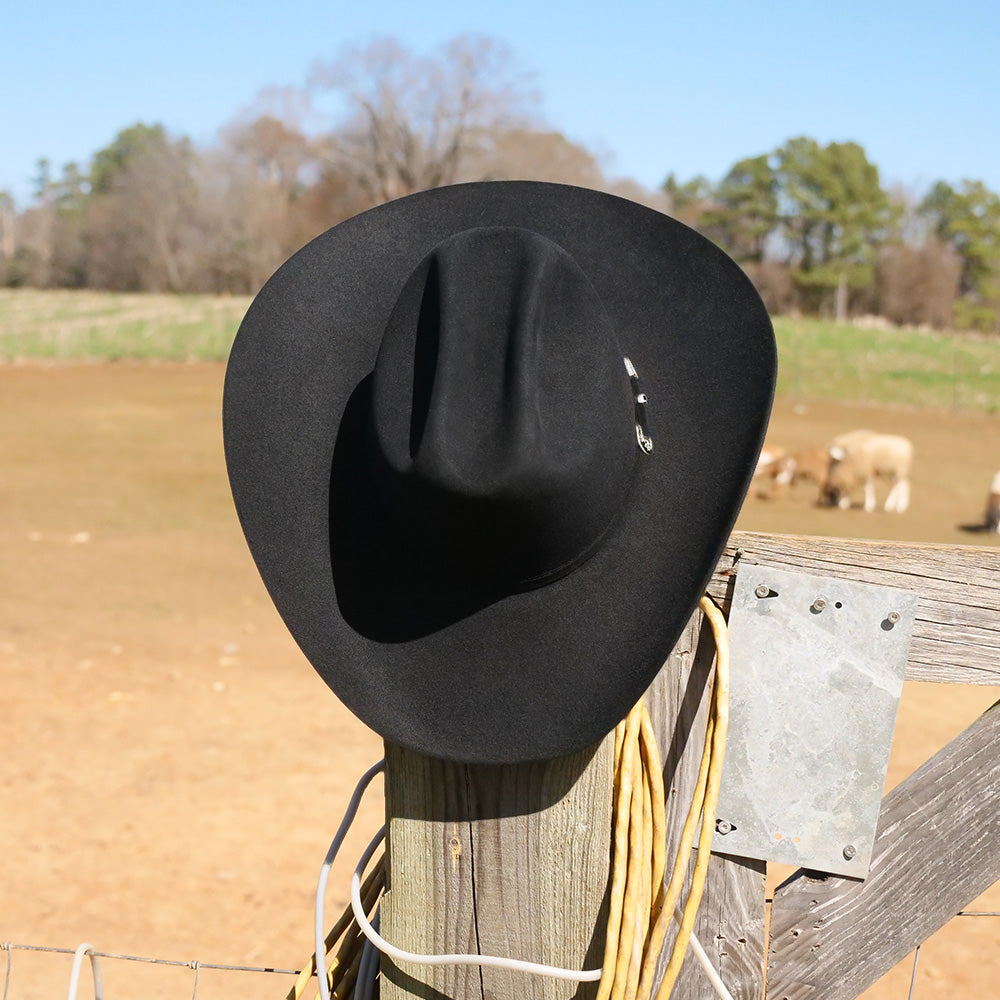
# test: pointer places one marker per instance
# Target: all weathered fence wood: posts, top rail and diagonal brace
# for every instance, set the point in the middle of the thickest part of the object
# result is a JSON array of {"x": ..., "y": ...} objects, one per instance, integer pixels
[{"x": 514, "y": 860}]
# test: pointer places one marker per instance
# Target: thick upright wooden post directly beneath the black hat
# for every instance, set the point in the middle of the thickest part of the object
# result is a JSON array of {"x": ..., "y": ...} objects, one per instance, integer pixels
[{"x": 510, "y": 861}]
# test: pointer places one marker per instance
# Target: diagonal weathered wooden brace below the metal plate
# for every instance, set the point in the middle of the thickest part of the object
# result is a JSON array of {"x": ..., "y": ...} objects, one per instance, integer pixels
[{"x": 937, "y": 848}]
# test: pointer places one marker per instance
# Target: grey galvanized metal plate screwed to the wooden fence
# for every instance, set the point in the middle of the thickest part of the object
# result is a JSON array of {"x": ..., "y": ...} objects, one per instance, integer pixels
[{"x": 816, "y": 673}]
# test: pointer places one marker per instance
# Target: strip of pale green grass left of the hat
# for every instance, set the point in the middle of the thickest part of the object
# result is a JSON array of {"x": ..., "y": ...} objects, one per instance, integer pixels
[{"x": 109, "y": 326}]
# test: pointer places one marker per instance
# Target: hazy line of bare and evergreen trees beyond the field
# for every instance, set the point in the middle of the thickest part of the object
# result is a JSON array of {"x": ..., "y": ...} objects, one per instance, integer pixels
[{"x": 812, "y": 224}]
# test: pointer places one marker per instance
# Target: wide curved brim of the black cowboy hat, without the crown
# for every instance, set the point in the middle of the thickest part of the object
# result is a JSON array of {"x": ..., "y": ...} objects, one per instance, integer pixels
[{"x": 435, "y": 665}]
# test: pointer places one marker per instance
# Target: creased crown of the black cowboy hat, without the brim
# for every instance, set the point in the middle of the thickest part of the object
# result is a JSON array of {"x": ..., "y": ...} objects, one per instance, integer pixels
[{"x": 502, "y": 415}]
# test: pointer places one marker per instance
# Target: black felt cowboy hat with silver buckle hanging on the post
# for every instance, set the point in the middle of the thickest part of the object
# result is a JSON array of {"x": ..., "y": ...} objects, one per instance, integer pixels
[{"x": 487, "y": 443}]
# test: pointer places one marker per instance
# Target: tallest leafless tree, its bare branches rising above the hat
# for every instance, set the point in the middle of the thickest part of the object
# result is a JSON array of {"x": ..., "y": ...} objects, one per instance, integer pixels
[{"x": 407, "y": 123}]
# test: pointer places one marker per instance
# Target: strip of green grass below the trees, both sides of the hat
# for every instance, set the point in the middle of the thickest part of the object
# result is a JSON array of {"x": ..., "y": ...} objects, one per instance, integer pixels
[{"x": 818, "y": 359}]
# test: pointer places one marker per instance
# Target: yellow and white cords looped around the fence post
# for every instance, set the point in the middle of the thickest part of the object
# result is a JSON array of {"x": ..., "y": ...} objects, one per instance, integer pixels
[{"x": 642, "y": 903}]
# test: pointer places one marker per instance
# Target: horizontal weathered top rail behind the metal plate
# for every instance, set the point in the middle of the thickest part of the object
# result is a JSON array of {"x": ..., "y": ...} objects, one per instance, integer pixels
[{"x": 956, "y": 636}]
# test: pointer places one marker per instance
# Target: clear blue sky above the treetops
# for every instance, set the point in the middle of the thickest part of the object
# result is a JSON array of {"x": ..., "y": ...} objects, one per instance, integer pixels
[{"x": 652, "y": 86}]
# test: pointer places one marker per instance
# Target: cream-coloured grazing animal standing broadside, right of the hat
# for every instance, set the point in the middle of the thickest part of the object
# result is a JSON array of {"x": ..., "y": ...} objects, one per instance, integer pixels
[{"x": 858, "y": 458}]
